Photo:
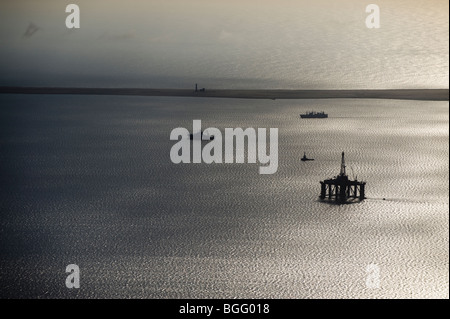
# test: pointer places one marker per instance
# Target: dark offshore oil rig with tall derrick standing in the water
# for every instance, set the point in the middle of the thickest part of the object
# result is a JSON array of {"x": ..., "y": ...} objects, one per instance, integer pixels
[{"x": 341, "y": 189}]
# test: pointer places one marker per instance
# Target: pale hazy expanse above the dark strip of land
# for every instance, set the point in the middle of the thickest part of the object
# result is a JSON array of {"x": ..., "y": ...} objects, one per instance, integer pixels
[{"x": 246, "y": 43}]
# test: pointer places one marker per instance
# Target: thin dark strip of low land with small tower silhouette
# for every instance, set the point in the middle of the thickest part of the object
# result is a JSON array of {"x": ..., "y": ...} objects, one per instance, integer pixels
[{"x": 400, "y": 94}]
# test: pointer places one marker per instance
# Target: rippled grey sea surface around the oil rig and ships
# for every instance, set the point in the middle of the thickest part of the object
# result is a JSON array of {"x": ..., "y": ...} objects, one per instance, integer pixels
[{"x": 88, "y": 180}]
